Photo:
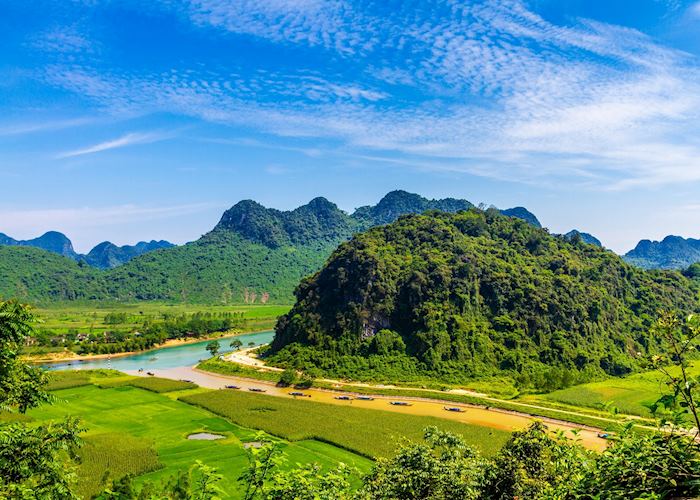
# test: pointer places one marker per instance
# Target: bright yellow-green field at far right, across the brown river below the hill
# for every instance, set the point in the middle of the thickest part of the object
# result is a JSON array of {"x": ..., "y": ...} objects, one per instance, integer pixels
[{"x": 632, "y": 395}]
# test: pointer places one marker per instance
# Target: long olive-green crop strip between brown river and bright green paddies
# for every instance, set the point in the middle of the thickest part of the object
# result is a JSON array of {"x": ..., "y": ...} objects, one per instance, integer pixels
[{"x": 372, "y": 433}]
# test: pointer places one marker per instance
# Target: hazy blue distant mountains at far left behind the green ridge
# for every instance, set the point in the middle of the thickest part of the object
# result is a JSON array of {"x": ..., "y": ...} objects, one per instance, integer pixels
[{"x": 106, "y": 255}]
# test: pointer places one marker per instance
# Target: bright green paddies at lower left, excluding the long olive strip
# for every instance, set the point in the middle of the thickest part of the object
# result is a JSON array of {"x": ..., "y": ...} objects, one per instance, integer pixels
[{"x": 130, "y": 430}]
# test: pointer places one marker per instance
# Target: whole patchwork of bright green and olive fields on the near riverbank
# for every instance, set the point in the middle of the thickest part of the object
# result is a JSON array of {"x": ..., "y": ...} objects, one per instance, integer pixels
[{"x": 140, "y": 426}]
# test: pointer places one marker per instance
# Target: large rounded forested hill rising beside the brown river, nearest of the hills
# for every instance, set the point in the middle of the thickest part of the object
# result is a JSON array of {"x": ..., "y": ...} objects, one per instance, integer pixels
[{"x": 474, "y": 294}]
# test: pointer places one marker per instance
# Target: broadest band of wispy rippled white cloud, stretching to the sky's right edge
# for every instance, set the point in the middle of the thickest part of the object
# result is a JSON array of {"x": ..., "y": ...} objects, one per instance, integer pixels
[{"x": 488, "y": 87}]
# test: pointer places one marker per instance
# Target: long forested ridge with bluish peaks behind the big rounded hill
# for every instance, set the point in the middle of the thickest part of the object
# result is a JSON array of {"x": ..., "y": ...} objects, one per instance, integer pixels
[{"x": 253, "y": 254}]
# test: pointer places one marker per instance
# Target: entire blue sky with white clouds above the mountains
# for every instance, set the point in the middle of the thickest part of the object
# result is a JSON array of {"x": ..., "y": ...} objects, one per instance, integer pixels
[{"x": 129, "y": 120}]
